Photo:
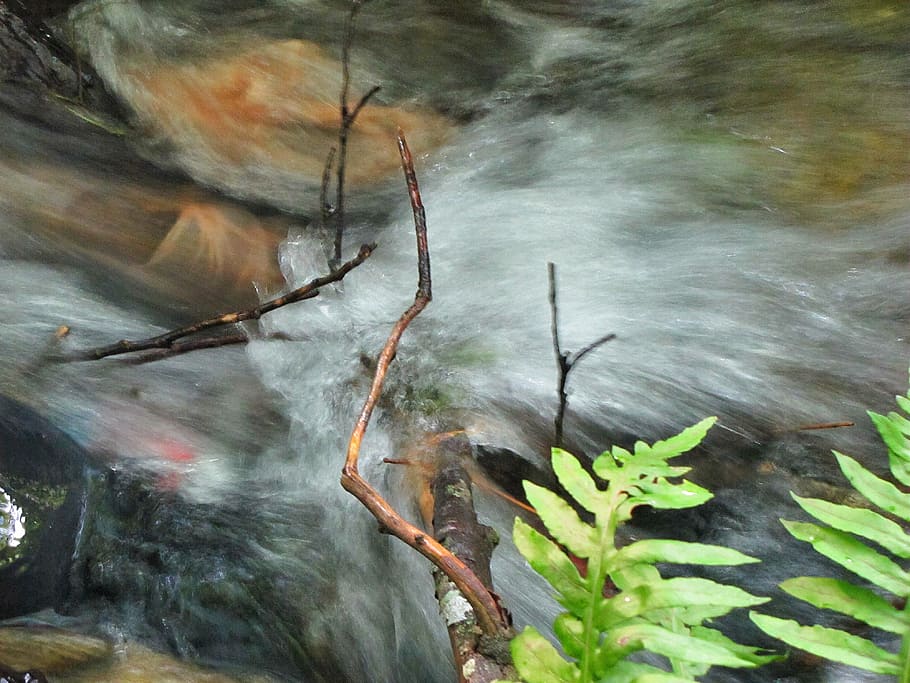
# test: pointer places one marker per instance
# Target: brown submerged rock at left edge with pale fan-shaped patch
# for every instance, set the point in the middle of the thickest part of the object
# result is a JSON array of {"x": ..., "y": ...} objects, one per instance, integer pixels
[{"x": 83, "y": 197}]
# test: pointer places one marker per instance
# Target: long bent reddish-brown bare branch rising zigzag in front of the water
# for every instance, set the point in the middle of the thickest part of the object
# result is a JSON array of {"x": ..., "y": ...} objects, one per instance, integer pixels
[{"x": 491, "y": 618}]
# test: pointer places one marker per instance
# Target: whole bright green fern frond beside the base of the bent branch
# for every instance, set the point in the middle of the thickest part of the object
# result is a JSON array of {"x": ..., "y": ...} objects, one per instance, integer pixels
[{"x": 663, "y": 616}]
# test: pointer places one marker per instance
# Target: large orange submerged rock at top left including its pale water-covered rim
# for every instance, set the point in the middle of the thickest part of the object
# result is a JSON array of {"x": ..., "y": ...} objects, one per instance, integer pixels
[{"x": 255, "y": 117}]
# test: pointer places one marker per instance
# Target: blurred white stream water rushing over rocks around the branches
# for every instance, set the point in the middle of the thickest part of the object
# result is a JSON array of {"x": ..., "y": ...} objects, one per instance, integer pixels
[{"x": 724, "y": 186}]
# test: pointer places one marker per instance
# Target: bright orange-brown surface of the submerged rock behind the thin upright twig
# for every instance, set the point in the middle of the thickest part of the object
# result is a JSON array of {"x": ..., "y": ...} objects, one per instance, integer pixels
[{"x": 274, "y": 104}]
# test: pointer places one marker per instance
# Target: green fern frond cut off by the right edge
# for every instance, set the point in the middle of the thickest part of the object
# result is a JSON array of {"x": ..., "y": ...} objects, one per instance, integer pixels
[{"x": 840, "y": 541}]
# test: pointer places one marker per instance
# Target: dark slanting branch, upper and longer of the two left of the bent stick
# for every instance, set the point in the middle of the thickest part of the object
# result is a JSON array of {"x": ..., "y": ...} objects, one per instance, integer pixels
[{"x": 168, "y": 339}]
